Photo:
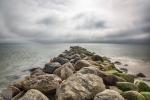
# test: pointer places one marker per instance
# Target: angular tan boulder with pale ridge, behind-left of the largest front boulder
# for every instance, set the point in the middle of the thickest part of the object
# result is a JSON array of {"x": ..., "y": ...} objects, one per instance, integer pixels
[{"x": 65, "y": 71}]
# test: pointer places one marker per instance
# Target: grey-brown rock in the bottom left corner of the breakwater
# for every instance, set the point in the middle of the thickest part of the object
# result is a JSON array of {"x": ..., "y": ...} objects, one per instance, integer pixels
[{"x": 9, "y": 92}]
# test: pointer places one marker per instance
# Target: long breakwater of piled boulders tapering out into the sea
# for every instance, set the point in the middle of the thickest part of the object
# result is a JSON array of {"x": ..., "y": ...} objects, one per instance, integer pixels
[{"x": 78, "y": 74}]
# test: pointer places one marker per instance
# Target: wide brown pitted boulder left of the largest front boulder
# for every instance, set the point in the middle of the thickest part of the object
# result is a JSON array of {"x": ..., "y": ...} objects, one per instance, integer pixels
[{"x": 43, "y": 83}]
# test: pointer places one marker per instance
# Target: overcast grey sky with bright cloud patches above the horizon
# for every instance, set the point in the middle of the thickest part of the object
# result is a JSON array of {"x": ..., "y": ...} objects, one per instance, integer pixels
[{"x": 120, "y": 21}]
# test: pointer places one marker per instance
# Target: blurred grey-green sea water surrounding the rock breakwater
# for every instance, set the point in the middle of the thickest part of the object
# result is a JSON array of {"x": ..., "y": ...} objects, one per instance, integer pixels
[{"x": 16, "y": 59}]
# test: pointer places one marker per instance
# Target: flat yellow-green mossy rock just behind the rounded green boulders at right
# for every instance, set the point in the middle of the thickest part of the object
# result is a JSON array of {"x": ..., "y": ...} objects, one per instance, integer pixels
[{"x": 127, "y": 77}]
